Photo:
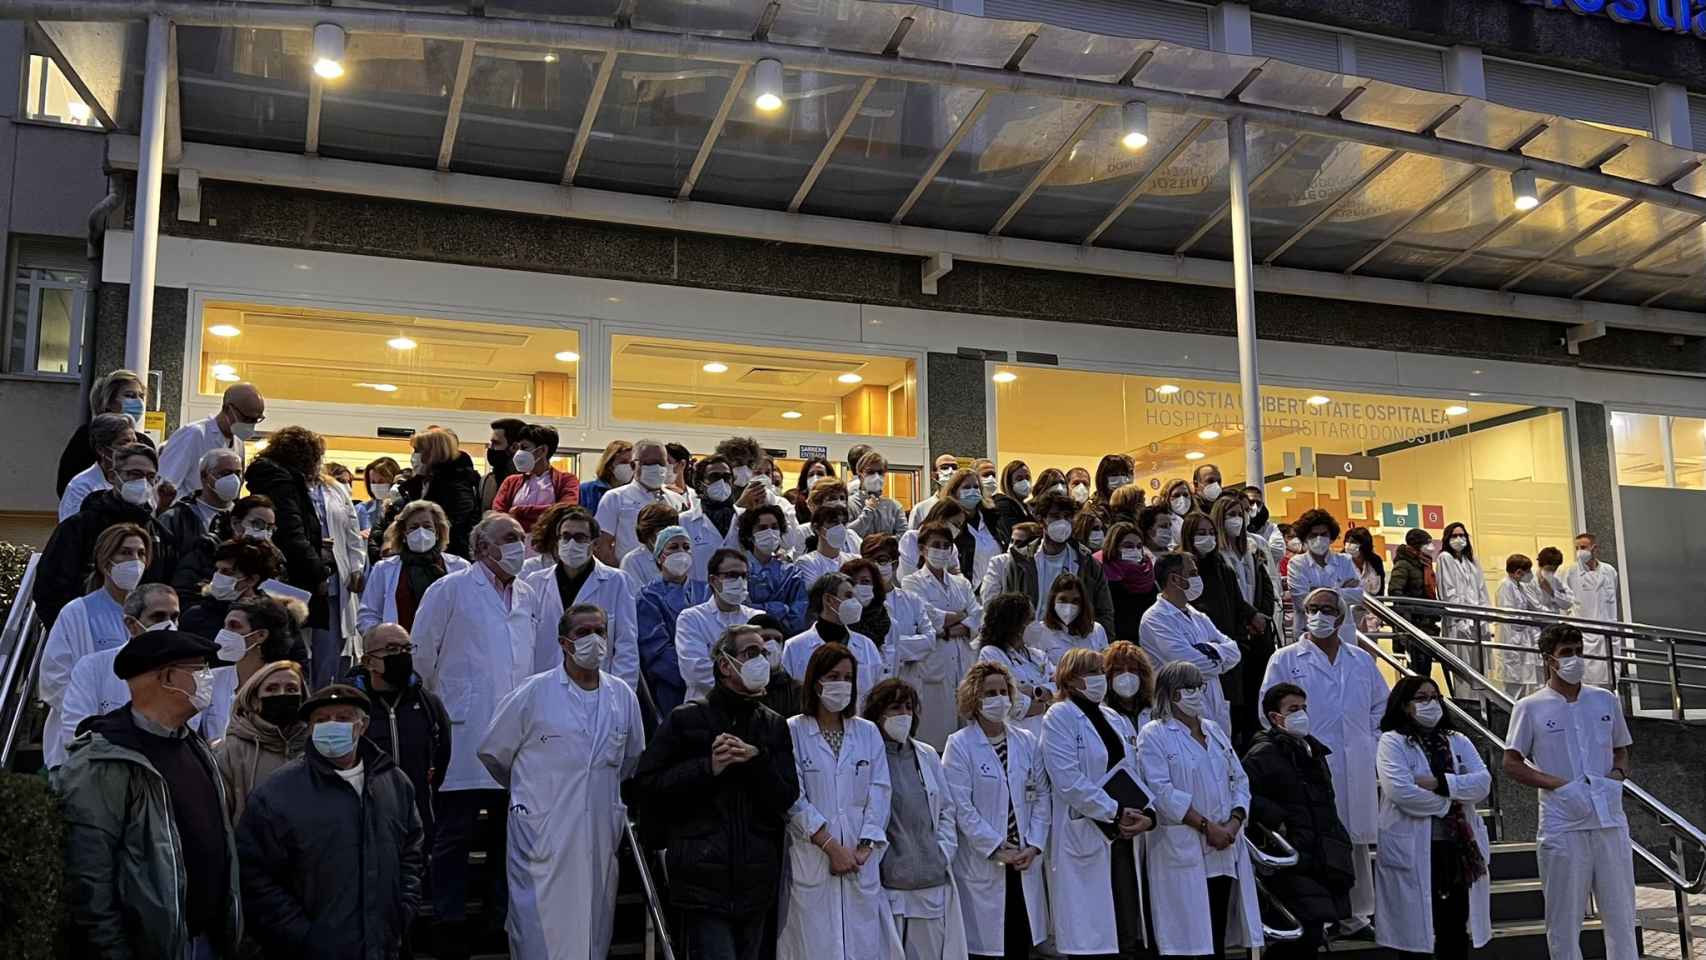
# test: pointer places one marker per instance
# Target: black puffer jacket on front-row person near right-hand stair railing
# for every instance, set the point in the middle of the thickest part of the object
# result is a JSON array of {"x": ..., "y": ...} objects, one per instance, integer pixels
[{"x": 1292, "y": 795}]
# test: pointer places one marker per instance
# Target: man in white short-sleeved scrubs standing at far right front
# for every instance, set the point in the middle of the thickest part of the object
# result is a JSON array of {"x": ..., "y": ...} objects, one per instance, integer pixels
[{"x": 1572, "y": 743}]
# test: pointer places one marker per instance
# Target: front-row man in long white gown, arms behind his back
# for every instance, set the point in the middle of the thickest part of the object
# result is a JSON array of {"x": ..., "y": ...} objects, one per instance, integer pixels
[{"x": 562, "y": 744}]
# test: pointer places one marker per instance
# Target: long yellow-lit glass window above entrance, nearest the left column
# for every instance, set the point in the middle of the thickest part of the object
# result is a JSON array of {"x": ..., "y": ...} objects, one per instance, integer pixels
[{"x": 347, "y": 357}]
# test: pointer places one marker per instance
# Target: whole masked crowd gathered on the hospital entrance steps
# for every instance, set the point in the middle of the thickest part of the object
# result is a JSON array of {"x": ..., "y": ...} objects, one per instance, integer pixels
[{"x": 1033, "y": 714}]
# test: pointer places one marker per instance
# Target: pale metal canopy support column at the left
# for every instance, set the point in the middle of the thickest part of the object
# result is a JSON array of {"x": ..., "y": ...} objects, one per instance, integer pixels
[{"x": 149, "y": 168}]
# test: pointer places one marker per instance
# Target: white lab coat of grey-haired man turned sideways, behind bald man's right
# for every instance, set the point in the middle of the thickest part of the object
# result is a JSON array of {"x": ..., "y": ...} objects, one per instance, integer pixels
[{"x": 472, "y": 651}]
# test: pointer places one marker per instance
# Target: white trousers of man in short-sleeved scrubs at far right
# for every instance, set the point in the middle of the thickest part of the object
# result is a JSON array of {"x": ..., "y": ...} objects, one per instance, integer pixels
[{"x": 1589, "y": 862}]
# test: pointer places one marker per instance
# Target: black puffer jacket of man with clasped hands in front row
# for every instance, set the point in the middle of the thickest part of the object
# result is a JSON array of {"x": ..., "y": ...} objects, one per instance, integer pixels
[{"x": 724, "y": 833}]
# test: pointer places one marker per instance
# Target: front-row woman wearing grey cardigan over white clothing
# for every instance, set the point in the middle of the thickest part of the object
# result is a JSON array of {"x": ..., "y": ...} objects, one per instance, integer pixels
[{"x": 924, "y": 831}]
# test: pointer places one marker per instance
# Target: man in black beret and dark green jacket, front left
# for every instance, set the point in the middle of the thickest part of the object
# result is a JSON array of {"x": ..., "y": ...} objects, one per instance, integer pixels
[{"x": 151, "y": 877}]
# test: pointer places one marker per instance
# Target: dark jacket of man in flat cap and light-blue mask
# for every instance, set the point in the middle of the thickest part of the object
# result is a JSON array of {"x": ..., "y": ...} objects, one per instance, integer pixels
[{"x": 328, "y": 874}]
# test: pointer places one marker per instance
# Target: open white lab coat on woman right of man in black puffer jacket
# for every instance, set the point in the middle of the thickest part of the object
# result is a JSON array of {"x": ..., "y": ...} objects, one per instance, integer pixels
[{"x": 827, "y": 917}]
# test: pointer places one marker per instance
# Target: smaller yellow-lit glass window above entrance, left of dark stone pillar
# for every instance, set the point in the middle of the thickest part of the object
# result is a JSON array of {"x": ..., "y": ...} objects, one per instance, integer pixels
[{"x": 762, "y": 388}]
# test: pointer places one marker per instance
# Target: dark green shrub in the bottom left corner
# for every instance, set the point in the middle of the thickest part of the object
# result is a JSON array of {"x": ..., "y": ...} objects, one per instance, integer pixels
[{"x": 32, "y": 869}]
